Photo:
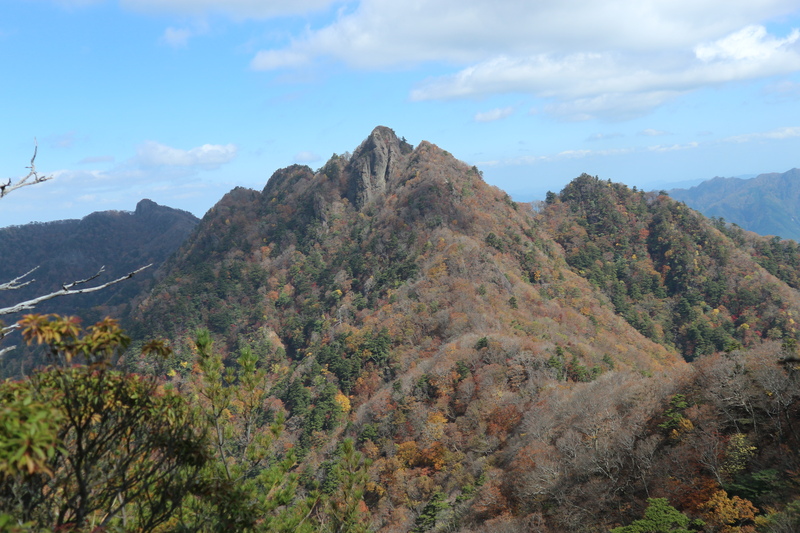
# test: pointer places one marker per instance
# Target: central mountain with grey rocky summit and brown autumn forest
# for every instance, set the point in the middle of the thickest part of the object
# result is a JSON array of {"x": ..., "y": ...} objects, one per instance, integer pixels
[{"x": 406, "y": 284}]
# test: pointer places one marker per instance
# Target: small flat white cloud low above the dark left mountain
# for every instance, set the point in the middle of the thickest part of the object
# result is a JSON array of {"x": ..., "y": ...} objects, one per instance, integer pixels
[{"x": 207, "y": 156}]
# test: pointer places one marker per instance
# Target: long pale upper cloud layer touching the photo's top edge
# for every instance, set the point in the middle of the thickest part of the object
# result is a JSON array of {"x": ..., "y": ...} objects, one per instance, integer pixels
[{"x": 380, "y": 33}]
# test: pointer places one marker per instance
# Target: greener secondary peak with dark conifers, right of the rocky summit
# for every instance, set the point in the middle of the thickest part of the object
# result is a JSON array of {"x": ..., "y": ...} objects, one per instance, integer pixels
[{"x": 675, "y": 276}]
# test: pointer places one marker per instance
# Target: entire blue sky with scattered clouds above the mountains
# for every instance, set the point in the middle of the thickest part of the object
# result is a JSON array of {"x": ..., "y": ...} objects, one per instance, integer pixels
[{"x": 180, "y": 101}]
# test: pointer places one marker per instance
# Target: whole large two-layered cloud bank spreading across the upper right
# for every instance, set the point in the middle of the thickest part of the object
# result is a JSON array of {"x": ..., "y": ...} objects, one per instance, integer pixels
[{"x": 585, "y": 58}]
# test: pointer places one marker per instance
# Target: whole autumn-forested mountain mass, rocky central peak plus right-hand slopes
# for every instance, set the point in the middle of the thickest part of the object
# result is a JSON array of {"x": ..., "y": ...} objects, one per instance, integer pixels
[{"x": 502, "y": 370}]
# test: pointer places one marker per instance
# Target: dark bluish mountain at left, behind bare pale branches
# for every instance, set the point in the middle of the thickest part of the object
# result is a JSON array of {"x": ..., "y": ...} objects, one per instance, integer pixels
[{"x": 70, "y": 250}]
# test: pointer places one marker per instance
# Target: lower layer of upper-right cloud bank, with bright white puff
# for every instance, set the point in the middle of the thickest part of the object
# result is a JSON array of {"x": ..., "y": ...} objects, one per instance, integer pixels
[{"x": 612, "y": 84}]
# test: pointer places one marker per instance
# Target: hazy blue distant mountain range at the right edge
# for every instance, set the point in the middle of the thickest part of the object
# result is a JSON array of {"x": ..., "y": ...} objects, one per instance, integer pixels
[{"x": 768, "y": 204}]
